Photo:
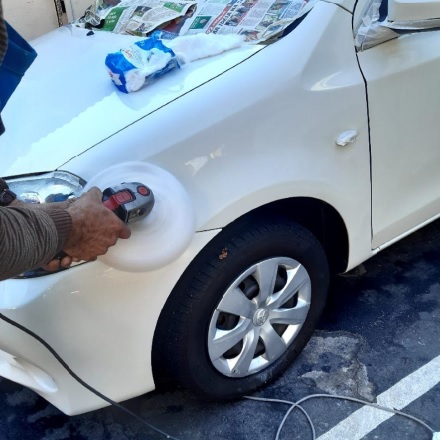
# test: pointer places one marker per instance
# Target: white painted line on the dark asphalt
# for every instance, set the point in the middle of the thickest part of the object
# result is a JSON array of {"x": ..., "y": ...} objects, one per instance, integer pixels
[{"x": 365, "y": 419}]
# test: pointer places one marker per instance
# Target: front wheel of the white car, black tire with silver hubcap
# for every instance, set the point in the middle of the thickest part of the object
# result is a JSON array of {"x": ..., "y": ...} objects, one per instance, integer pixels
[{"x": 186, "y": 346}]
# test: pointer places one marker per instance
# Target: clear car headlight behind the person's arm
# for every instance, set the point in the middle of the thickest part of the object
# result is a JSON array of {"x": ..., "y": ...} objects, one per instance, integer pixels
[{"x": 56, "y": 186}]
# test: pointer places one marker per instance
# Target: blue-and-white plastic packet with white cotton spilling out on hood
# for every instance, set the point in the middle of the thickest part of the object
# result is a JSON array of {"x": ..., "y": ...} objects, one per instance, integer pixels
[{"x": 147, "y": 60}]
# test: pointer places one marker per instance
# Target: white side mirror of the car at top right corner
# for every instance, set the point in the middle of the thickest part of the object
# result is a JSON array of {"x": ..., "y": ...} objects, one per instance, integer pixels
[{"x": 412, "y": 10}]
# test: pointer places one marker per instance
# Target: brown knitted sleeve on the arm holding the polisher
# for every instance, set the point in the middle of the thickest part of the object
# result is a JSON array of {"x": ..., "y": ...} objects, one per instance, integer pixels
[{"x": 30, "y": 238}]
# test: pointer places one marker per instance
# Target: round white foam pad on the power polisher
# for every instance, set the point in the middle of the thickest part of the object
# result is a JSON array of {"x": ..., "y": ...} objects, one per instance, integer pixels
[{"x": 164, "y": 234}]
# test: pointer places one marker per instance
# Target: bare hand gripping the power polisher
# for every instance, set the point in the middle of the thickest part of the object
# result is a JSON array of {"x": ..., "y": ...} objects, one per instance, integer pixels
[{"x": 94, "y": 228}]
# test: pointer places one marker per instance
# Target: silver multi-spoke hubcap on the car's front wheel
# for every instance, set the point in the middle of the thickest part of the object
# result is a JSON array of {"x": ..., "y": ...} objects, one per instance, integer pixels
[{"x": 259, "y": 316}]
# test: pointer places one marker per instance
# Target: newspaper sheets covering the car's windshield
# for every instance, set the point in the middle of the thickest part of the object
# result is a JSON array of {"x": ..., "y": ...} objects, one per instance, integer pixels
[{"x": 256, "y": 20}]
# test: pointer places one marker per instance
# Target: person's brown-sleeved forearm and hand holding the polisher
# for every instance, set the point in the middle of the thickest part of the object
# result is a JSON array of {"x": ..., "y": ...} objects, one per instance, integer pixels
[{"x": 32, "y": 234}]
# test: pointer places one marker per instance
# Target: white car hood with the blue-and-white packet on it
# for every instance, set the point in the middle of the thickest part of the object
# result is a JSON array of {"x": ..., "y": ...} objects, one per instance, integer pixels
[{"x": 66, "y": 102}]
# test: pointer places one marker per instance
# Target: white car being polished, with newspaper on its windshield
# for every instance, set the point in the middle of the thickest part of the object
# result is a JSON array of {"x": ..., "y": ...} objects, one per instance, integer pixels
[{"x": 289, "y": 161}]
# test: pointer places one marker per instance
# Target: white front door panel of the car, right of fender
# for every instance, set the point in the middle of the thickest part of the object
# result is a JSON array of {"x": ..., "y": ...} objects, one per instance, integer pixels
[{"x": 403, "y": 76}]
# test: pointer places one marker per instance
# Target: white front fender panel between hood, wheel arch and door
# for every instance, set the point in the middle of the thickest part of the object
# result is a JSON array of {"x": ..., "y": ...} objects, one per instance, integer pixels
[{"x": 238, "y": 145}]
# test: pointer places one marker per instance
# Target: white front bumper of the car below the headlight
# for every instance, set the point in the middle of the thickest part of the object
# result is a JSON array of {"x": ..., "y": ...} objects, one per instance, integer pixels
[{"x": 99, "y": 320}]
